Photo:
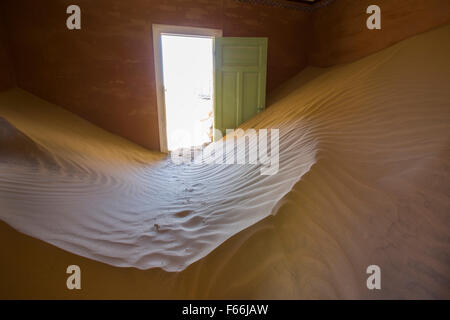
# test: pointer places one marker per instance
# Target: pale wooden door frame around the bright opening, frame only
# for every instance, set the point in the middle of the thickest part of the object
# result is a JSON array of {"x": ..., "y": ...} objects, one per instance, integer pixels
[{"x": 158, "y": 30}]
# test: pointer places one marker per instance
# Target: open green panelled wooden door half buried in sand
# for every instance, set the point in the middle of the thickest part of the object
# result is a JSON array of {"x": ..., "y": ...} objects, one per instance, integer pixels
[{"x": 240, "y": 80}]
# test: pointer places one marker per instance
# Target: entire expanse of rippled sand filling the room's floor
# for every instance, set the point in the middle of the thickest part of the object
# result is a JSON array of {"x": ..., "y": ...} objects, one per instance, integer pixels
[{"x": 363, "y": 179}]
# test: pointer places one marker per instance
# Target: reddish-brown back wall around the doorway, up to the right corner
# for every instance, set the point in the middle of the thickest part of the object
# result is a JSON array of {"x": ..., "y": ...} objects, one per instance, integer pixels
[{"x": 104, "y": 72}]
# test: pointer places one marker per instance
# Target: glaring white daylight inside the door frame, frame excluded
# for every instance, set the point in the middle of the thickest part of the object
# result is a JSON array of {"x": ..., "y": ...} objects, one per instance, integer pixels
[{"x": 188, "y": 83}]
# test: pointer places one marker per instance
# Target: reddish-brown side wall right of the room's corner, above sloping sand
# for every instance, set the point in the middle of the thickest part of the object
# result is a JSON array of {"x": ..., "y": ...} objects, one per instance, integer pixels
[{"x": 340, "y": 33}]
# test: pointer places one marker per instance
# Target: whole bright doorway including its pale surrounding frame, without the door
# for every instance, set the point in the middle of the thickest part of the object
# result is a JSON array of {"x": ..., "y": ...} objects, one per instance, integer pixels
[{"x": 184, "y": 68}]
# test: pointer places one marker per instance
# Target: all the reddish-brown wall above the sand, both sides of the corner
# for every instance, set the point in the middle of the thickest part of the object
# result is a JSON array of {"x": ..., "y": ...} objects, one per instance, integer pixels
[{"x": 105, "y": 71}]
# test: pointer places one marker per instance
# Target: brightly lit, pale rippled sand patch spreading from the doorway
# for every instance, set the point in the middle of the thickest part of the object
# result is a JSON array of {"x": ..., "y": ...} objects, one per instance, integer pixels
[{"x": 132, "y": 214}]
